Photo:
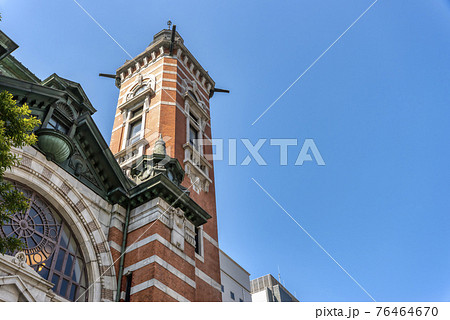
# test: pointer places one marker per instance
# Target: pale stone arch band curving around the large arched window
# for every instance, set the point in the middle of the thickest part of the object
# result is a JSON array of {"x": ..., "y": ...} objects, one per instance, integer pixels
[{"x": 44, "y": 179}]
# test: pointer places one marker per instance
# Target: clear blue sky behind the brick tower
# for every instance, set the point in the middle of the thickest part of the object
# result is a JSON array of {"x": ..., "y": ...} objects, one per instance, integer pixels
[{"x": 376, "y": 105}]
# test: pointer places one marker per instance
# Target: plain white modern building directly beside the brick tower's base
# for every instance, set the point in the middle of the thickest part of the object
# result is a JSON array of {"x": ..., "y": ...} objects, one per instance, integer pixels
[{"x": 235, "y": 280}]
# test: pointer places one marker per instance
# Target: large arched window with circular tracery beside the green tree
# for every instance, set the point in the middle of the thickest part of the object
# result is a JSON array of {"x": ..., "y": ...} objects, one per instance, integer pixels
[{"x": 51, "y": 247}]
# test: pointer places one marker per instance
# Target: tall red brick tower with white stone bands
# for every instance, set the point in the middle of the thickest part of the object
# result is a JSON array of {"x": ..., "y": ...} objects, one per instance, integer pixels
[{"x": 166, "y": 239}]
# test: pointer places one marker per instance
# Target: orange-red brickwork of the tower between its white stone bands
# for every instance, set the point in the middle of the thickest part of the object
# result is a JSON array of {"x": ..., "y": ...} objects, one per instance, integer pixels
[{"x": 168, "y": 120}]
